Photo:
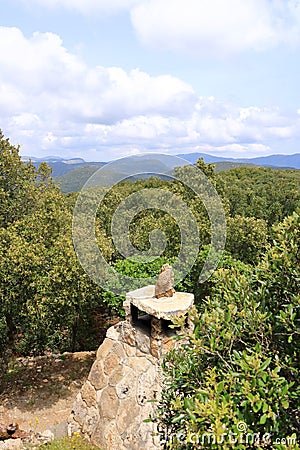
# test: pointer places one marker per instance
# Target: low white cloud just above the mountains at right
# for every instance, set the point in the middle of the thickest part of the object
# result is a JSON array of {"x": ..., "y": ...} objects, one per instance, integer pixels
[{"x": 228, "y": 129}]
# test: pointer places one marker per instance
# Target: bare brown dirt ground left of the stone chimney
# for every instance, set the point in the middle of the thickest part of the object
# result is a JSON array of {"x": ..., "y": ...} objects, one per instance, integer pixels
[{"x": 39, "y": 392}]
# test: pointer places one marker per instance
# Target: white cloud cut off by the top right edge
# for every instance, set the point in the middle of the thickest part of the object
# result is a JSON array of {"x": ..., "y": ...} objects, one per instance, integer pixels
[{"x": 219, "y": 27}]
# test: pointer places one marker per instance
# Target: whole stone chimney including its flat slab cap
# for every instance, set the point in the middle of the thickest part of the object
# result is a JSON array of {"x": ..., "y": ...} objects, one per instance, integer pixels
[{"x": 126, "y": 378}]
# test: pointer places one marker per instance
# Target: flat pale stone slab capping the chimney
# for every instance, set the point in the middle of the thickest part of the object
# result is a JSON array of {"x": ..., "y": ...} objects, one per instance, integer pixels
[{"x": 161, "y": 308}]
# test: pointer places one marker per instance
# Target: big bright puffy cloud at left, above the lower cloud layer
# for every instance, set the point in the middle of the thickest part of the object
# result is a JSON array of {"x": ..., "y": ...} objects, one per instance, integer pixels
[{"x": 57, "y": 83}]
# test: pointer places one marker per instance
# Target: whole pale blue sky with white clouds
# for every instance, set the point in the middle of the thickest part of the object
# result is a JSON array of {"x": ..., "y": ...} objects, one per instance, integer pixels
[{"x": 102, "y": 79}]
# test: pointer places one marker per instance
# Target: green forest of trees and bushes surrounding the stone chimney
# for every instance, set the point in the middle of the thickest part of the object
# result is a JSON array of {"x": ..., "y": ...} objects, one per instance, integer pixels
[{"x": 239, "y": 366}]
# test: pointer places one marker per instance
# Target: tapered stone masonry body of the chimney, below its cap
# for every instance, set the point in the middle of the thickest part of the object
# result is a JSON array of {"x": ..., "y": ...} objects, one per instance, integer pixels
[{"x": 120, "y": 393}]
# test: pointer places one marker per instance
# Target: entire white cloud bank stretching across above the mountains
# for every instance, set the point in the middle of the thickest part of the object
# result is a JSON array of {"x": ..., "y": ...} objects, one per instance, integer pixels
[{"x": 51, "y": 102}]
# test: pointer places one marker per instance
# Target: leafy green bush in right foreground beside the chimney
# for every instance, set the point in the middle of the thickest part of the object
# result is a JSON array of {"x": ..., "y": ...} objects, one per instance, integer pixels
[{"x": 237, "y": 374}]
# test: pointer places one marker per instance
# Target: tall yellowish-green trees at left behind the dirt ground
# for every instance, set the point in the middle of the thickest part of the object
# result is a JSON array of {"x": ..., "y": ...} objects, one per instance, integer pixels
[{"x": 47, "y": 302}]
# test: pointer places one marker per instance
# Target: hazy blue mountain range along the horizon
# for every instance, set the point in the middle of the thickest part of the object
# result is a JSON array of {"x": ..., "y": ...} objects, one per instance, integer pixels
[{"x": 71, "y": 174}]
